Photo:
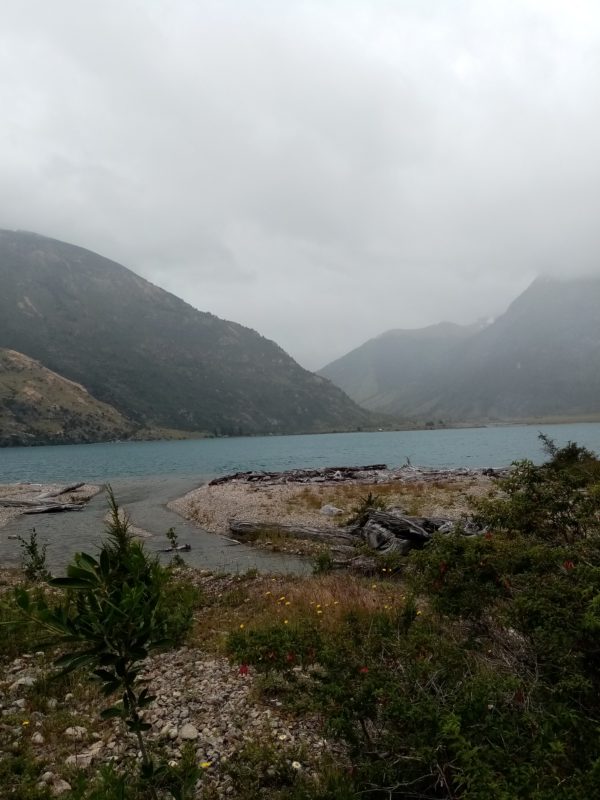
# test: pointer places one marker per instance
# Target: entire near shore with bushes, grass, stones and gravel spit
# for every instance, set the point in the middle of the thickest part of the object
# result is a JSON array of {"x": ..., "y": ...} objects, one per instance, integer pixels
[{"x": 463, "y": 666}]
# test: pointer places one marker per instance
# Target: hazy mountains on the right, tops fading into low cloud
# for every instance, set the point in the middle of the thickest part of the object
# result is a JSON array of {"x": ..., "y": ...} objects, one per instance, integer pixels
[{"x": 540, "y": 359}]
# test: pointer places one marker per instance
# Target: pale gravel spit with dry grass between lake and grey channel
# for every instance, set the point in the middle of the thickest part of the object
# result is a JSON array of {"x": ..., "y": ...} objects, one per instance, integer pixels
[{"x": 284, "y": 499}]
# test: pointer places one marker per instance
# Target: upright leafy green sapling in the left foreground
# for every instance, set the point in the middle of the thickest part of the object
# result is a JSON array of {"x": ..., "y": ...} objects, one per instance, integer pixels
[{"x": 112, "y": 616}]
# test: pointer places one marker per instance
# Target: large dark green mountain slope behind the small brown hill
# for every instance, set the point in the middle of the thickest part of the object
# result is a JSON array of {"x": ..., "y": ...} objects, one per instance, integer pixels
[{"x": 150, "y": 355}]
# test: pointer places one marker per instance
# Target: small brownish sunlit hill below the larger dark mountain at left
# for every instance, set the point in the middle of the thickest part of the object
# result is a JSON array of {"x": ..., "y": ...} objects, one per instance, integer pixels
[{"x": 38, "y": 406}]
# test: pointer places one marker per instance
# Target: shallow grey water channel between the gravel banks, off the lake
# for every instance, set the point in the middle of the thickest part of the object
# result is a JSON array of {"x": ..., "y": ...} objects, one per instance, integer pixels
[{"x": 145, "y": 500}]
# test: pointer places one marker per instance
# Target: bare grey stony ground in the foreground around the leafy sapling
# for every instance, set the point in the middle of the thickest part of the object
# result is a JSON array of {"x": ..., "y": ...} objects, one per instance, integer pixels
[{"x": 202, "y": 699}]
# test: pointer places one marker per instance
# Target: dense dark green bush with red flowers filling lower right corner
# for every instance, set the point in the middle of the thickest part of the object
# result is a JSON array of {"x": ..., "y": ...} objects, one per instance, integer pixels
[{"x": 485, "y": 682}]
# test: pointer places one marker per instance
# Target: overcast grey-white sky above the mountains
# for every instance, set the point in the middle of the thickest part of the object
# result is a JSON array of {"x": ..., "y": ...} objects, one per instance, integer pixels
[{"x": 318, "y": 171}]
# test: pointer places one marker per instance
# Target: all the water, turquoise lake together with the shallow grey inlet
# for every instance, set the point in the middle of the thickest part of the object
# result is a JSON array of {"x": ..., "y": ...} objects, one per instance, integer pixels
[{"x": 146, "y": 475}]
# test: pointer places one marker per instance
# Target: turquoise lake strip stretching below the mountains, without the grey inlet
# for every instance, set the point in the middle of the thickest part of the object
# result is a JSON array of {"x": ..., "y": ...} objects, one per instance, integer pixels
[{"x": 476, "y": 447}]
